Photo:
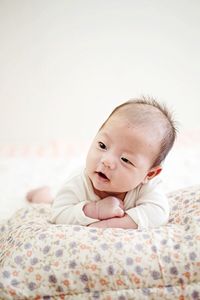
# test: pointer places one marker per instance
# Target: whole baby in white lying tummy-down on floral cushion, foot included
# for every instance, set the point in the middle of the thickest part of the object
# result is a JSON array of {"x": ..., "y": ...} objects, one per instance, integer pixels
[{"x": 119, "y": 185}]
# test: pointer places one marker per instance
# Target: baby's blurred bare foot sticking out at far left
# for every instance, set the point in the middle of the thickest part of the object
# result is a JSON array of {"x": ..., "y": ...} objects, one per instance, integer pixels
[{"x": 40, "y": 195}]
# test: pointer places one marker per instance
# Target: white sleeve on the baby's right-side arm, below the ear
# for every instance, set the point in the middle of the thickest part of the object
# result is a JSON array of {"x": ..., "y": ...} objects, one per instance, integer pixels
[{"x": 152, "y": 206}]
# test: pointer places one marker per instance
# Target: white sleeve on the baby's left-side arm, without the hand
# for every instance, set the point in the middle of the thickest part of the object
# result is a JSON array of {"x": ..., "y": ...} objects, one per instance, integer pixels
[{"x": 67, "y": 207}]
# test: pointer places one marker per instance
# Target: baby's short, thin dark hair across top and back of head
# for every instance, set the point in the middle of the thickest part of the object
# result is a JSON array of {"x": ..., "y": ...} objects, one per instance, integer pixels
[{"x": 147, "y": 107}]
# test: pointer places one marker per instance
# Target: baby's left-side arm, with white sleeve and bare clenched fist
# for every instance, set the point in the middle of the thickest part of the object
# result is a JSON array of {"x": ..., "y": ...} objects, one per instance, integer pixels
[{"x": 72, "y": 207}]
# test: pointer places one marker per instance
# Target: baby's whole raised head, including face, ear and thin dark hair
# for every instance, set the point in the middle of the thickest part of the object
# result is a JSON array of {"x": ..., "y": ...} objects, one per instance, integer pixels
[{"x": 130, "y": 146}]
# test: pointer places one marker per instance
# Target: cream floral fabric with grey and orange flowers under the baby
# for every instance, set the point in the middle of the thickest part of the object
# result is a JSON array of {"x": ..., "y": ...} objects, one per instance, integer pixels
[{"x": 40, "y": 260}]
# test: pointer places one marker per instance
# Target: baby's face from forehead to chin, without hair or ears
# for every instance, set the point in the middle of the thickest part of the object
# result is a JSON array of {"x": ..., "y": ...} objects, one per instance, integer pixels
[{"x": 120, "y": 157}]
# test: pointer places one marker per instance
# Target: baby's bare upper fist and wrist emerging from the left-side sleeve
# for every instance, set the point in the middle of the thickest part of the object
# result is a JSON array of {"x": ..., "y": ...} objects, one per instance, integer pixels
[{"x": 106, "y": 208}]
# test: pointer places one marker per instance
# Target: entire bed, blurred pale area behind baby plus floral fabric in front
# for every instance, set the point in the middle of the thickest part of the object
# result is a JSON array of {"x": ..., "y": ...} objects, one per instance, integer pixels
[{"x": 39, "y": 260}]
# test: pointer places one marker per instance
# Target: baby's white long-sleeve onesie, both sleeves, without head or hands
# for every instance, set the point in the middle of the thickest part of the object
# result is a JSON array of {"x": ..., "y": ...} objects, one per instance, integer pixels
[{"x": 147, "y": 204}]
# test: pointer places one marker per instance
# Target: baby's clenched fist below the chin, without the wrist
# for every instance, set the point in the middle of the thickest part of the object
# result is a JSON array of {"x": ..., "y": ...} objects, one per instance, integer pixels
[{"x": 109, "y": 207}]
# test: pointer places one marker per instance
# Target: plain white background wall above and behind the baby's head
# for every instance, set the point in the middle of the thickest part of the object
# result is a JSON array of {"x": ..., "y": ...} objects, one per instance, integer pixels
[{"x": 65, "y": 64}]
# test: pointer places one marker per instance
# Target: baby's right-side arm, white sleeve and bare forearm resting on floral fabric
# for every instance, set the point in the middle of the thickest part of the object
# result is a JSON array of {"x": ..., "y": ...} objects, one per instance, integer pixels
[{"x": 151, "y": 209}]
